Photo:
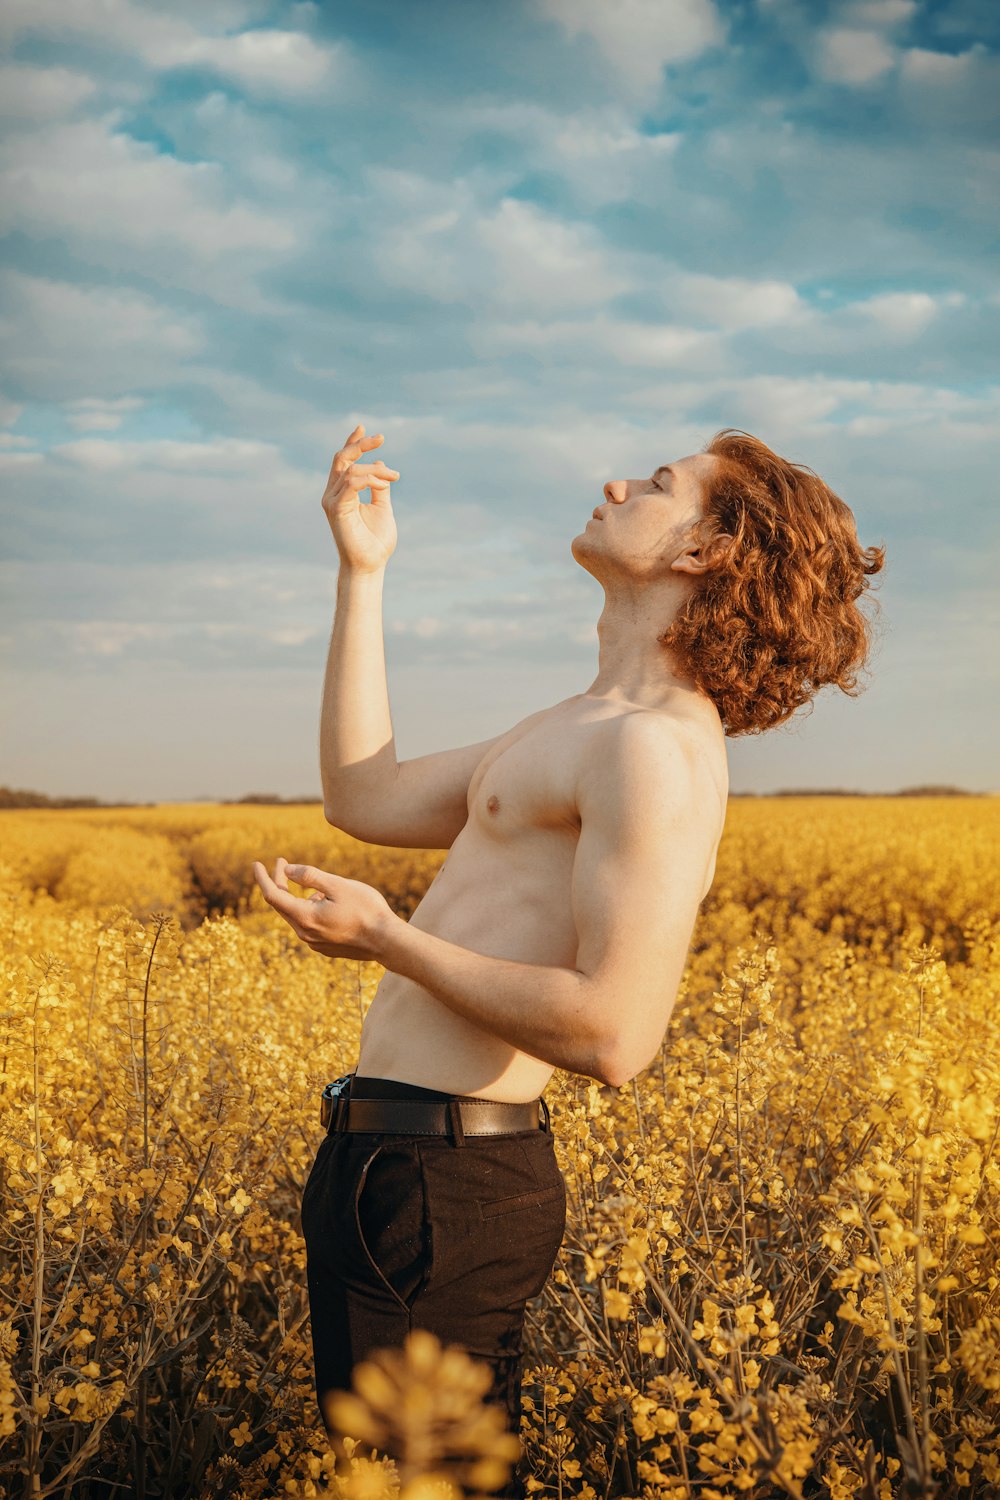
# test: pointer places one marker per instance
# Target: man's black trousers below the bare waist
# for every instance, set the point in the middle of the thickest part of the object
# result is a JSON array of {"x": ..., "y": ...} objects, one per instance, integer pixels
[{"x": 421, "y": 1232}]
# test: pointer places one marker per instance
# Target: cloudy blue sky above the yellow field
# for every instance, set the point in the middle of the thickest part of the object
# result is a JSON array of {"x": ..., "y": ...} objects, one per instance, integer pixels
[{"x": 540, "y": 247}]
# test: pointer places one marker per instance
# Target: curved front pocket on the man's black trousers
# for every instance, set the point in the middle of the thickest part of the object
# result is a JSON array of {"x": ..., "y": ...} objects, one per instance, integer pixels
[{"x": 391, "y": 1219}]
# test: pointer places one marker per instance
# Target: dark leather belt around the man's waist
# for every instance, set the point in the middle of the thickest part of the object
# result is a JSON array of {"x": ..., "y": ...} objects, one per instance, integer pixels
[{"x": 457, "y": 1118}]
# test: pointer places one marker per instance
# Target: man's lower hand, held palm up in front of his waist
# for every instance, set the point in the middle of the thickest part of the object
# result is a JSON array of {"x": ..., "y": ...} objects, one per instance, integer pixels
[{"x": 343, "y": 920}]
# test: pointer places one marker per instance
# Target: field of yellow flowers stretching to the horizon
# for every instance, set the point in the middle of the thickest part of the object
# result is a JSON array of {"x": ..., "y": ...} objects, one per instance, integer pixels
[{"x": 782, "y": 1267}]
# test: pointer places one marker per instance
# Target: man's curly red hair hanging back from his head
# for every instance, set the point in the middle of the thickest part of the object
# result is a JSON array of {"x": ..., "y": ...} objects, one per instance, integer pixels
[{"x": 776, "y": 617}]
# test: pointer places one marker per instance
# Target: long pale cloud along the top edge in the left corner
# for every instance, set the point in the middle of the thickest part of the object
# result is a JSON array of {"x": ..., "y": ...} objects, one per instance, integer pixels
[{"x": 262, "y": 59}]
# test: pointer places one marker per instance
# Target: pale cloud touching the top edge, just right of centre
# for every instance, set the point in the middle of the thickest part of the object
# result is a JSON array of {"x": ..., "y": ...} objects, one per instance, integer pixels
[{"x": 641, "y": 37}]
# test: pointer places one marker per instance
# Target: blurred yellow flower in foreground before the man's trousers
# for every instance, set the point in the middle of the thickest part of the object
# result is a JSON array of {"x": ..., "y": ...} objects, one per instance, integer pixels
[{"x": 424, "y": 1406}]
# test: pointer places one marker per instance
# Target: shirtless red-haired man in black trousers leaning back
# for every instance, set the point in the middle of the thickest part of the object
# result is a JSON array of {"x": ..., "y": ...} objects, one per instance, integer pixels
[{"x": 582, "y": 845}]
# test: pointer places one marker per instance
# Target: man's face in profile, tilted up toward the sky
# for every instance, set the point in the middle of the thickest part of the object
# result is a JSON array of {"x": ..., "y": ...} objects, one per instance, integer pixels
[{"x": 642, "y": 526}]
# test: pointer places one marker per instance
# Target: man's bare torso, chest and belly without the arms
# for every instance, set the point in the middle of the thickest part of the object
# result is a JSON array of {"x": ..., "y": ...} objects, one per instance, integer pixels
[{"x": 506, "y": 892}]
